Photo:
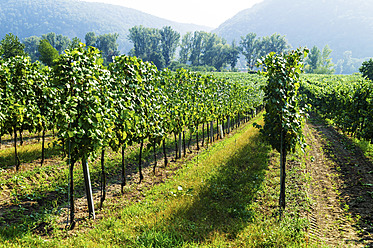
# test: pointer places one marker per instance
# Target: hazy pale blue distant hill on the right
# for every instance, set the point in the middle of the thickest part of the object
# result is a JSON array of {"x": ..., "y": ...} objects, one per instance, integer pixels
[{"x": 344, "y": 25}]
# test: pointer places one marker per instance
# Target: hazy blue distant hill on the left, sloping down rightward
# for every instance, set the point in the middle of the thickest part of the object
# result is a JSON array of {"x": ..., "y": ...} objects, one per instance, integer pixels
[{"x": 75, "y": 18}]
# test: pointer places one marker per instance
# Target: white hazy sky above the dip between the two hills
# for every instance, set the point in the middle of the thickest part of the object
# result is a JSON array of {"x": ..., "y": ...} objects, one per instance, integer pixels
[{"x": 210, "y": 13}]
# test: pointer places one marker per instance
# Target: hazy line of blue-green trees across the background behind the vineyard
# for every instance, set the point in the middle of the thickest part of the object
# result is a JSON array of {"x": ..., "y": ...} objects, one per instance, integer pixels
[{"x": 166, "y": 48}]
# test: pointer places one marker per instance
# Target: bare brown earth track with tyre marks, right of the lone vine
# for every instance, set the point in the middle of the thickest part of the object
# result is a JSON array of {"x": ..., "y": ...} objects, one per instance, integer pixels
[{"x": 340, "y": 188}]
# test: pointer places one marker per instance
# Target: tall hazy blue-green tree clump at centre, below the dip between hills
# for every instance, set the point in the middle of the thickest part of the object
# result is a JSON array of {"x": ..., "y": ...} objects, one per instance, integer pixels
[{"x": 200, "y": 50}]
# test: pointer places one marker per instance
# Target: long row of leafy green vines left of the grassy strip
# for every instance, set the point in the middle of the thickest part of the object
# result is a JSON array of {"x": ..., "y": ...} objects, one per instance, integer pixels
[{"x": 94, "y": 108}]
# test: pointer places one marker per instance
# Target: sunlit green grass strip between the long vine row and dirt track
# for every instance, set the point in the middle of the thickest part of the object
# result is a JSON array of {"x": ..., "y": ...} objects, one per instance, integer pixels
[{"x": 226, "y": 196}]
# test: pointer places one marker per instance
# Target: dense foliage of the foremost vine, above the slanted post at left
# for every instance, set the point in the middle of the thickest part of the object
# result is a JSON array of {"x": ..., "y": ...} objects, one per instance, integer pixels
[{"x": 85, "y": 117}]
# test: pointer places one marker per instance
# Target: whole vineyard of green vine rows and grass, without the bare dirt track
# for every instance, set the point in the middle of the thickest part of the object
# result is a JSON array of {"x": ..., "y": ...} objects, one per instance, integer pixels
[{"x": 162, "y": 154}]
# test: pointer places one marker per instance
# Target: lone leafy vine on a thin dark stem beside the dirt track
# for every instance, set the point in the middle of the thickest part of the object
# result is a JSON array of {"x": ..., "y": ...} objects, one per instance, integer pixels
[{"x": 283, "y": 120}]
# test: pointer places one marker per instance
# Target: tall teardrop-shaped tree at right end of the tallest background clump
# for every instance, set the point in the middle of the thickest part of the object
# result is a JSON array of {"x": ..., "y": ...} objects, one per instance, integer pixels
[{"x": 169, "y": 42}]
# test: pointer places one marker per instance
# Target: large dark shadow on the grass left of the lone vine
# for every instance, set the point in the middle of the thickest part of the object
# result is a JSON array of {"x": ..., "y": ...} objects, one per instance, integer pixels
[{"x": 223, "y": 206}]
